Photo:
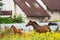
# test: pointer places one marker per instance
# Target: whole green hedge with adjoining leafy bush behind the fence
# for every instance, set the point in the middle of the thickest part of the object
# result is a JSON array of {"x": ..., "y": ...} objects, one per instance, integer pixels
[{"x": 18, "y": 19}]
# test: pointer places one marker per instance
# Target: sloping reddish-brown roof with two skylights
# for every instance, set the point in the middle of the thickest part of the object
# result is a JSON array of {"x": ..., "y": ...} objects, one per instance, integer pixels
[{"x": 30, "y": 9}]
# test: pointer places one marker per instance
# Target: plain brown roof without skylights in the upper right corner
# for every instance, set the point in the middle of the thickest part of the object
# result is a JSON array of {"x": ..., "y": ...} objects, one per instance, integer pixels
[{"x": 53, "y": 5}]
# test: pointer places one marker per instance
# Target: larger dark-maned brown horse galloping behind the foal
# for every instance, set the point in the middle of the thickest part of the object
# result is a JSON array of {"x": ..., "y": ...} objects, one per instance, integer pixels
[{"x": 38, "y": 28}]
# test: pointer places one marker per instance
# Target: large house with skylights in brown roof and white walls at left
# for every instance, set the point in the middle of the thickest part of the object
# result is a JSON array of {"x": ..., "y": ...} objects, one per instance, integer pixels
[{"x": 29, "y": 9}]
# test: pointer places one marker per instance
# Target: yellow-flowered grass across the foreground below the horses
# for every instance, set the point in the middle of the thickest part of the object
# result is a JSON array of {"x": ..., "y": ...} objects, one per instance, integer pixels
[{"x": 33, "y": 36}]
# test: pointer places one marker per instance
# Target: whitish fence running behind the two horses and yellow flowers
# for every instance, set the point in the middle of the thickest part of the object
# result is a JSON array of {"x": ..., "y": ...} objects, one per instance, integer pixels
[{"x": 23, "y": 26}]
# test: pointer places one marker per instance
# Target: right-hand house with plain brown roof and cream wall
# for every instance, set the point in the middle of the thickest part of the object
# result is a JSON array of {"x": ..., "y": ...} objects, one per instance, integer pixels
[{"x": 53, "y": 8}]
